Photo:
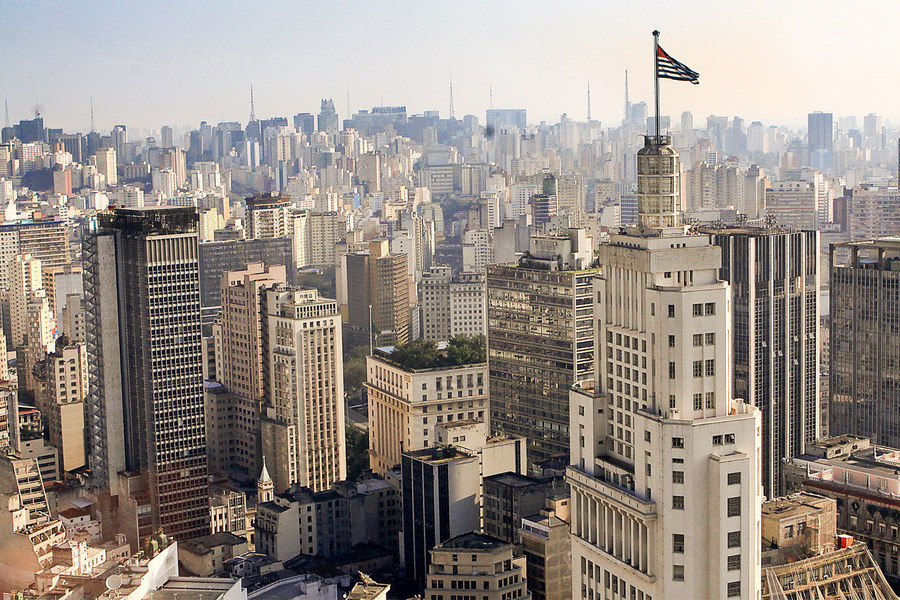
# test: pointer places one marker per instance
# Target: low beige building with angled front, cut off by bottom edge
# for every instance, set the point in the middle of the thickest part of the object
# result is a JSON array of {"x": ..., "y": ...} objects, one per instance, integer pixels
[{"x": 474, "y": 565}]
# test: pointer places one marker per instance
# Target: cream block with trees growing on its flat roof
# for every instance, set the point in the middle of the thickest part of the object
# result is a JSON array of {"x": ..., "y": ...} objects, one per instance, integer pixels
[{"x": 406, "y": 405}]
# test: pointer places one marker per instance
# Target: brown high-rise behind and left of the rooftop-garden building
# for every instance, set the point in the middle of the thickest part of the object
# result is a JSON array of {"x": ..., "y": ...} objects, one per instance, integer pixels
[{"x": 378, "y": 288}]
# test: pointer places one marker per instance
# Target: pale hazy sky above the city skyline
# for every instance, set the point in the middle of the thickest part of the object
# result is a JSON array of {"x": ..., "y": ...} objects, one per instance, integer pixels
[{"x": 151, "y": 63}]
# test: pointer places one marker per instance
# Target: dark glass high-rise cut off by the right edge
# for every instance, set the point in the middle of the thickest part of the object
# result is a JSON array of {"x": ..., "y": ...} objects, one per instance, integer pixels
[{"x": 865, "y": 341}]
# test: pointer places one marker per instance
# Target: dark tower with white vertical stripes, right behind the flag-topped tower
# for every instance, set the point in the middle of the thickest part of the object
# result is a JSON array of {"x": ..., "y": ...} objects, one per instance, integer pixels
[{"x": 775, "y": 285}]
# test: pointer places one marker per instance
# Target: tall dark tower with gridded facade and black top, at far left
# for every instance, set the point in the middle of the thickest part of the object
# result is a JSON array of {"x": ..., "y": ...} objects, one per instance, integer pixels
[{"x": 147, "y": 436}]
